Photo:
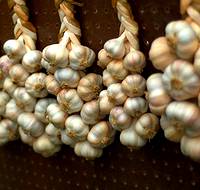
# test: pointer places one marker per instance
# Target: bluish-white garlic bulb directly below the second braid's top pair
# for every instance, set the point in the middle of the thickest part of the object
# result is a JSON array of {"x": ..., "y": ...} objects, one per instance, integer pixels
[{"x": 67, "y": 77}]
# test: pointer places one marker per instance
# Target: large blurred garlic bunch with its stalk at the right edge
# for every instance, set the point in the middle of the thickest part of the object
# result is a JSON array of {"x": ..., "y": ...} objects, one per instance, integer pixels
[{"x": 174, "y": 93}]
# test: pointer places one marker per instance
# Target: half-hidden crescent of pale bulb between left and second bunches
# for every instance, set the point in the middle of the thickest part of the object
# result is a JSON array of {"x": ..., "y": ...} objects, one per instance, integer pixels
[{"x": 41, "y": 109}]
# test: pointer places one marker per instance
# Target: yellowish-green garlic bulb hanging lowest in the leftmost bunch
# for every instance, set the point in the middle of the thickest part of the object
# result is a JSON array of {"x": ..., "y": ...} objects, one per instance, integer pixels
[{"x": 45, "y": 147}]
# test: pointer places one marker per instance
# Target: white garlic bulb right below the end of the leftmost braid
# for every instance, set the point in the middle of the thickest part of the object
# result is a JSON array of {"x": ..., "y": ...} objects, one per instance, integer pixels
[{"x": 32, "y": 61}]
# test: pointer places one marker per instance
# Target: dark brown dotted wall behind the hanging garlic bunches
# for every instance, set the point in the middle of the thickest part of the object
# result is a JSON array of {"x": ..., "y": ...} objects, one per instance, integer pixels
[{"x": 158, "y": 166}]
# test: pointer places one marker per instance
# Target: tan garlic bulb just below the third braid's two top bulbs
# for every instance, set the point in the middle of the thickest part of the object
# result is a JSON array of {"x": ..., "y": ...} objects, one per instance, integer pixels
[{"x": 117, "y": 70}]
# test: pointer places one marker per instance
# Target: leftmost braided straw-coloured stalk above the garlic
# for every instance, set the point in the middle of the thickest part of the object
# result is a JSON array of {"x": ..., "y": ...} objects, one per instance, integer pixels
[{"x": 23, "y": 30}]
